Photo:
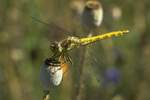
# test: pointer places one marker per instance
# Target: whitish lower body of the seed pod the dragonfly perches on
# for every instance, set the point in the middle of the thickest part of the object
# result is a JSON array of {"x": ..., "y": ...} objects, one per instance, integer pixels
[{"x": 50, "y": 76}]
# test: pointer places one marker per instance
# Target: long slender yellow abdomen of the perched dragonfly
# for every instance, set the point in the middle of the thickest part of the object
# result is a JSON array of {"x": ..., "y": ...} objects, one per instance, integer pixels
[{"x": 88, "y": 40}]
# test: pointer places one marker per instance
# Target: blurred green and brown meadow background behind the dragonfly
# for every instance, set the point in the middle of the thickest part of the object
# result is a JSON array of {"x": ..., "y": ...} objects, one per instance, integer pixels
[{"x": 24, "y": 44}]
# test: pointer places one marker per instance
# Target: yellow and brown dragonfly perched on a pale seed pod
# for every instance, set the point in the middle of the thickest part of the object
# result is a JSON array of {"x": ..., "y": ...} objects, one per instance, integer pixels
[{"x": 60, "y": 49}]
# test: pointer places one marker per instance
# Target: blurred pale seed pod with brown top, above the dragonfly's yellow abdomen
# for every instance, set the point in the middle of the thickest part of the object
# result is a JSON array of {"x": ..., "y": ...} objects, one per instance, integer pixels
[{"x": 92, "y": 14}]
